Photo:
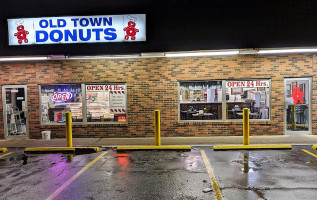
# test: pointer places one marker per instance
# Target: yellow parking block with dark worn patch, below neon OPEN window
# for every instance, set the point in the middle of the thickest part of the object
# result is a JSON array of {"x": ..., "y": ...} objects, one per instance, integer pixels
[{"x": 71, "y": 150}]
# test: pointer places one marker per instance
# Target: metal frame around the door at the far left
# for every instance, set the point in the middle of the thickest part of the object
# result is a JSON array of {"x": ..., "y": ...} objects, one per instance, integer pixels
[{"x": 4, "y": 106}]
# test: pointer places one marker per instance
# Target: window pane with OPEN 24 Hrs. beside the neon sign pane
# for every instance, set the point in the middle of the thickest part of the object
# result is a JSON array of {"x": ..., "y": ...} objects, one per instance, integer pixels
[{"x": 106, "y": 103}]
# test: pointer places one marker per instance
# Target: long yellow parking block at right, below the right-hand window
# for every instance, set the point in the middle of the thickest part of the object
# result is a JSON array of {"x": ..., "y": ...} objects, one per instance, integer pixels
[{"x": 253, "y": 147}]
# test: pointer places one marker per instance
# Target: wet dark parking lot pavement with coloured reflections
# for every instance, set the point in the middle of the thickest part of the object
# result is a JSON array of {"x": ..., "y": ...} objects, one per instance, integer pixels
[{"x": 265, "y": 174}]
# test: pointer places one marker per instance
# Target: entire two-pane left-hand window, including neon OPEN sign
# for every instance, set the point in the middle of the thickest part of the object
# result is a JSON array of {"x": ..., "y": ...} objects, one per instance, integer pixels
[{"x": 103, "y": 103}]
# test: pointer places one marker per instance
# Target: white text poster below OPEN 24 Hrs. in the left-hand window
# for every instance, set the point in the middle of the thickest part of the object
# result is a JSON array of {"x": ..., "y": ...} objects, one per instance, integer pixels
[{"x": 117, "y": 102}]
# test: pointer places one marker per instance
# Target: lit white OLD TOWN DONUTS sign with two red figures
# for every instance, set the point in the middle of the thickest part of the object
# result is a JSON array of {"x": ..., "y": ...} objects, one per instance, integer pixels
[{"x": 77, "y": 29}]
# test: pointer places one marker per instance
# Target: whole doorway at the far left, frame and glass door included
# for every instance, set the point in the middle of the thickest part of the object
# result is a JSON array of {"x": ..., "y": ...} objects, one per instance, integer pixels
[{"x": 15, "y": 115}]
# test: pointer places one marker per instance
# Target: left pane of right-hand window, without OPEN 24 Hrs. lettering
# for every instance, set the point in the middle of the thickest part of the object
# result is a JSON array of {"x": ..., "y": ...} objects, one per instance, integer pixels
[{"x": 201, "y": 100}]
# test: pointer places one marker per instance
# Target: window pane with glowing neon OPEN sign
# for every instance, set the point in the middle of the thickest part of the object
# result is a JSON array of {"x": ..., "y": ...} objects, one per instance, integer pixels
[{"x": 57, "y": 100}]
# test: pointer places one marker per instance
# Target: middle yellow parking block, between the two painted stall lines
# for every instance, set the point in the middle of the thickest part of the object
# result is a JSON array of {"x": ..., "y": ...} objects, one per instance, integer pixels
[{"x": 147, "y": 148}]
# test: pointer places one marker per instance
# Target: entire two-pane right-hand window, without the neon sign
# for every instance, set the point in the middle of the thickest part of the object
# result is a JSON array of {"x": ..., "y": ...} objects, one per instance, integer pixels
[{"x": 206, "y": 100}]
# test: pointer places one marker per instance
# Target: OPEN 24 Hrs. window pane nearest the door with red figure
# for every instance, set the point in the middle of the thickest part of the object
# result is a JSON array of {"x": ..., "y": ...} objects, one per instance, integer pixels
[{"x": 252, "y": 94}]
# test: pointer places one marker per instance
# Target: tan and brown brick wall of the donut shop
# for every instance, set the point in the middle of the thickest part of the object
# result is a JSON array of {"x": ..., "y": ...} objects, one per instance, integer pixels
[{"x": 152, "y": 84}]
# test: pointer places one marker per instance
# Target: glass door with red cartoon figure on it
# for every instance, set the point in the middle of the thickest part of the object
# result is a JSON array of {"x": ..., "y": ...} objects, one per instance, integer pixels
[{"x": 297, "y": 97}]
